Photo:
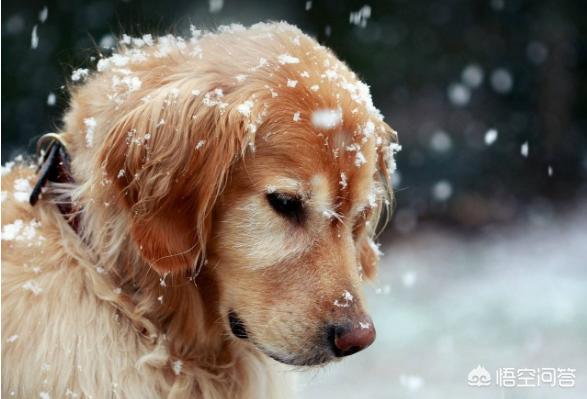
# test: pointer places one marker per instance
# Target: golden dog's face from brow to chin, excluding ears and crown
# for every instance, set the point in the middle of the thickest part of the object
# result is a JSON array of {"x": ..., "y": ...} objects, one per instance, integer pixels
[{"x": 291, "y": 245}]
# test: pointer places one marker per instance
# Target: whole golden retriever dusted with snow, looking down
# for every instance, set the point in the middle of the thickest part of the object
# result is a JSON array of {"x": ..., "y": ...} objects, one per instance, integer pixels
[{"x": 216, "y": 220}]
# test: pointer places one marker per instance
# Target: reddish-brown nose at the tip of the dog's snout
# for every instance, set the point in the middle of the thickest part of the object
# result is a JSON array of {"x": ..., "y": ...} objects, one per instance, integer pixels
[{"x": 350, "y": 338}]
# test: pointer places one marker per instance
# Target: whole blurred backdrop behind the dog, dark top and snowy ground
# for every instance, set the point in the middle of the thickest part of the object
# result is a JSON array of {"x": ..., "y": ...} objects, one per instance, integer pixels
[{"x": 486, "y": 256}]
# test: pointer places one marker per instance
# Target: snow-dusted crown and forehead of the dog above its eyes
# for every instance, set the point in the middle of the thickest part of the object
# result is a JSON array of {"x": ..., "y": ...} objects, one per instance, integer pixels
[{"x": 308, "y": 115}]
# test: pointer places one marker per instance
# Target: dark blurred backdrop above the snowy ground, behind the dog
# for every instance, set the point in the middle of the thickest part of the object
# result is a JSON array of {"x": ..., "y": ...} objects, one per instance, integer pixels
[{"x": 442, "y": 72}]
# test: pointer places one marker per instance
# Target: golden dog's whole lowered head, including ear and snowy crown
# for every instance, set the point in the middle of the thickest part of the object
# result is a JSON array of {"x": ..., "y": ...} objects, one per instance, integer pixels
[{"x": 257, "y": 155}]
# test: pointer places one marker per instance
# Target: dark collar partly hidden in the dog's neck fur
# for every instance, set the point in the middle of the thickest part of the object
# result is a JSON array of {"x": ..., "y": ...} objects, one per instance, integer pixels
[{"x": 55, "y": 167}]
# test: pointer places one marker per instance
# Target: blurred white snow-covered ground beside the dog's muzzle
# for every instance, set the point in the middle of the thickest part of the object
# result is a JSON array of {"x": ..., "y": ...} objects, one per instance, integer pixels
[{"x": 446, "y": 302}]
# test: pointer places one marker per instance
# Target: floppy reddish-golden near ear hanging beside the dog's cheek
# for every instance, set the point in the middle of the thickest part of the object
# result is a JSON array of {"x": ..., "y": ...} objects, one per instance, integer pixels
[{"x": 169, "y": 159}]
